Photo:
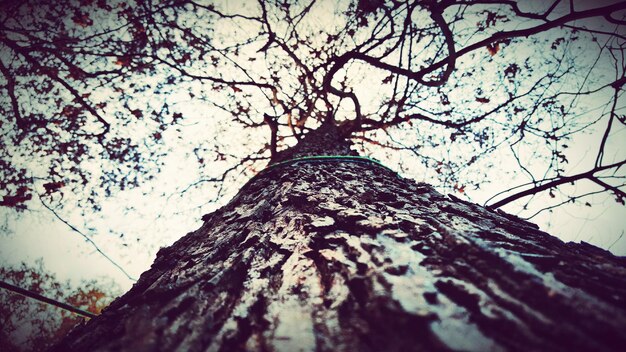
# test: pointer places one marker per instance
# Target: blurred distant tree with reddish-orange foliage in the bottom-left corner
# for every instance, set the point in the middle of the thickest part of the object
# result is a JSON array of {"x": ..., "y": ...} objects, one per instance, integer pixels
[{"x": 29, "y": 325}]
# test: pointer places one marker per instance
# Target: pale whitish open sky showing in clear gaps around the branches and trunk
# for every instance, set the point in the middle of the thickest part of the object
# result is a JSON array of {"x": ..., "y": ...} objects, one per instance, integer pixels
[{"x": 135, "y": 223}]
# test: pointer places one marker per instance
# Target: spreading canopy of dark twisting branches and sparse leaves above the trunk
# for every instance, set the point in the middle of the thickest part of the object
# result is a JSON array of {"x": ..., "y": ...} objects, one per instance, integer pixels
[{"x": 99, "y": 96}]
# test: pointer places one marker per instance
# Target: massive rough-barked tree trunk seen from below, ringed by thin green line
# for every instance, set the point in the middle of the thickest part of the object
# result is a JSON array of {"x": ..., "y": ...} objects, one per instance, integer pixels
[{"x": 348, "y": 256}]
